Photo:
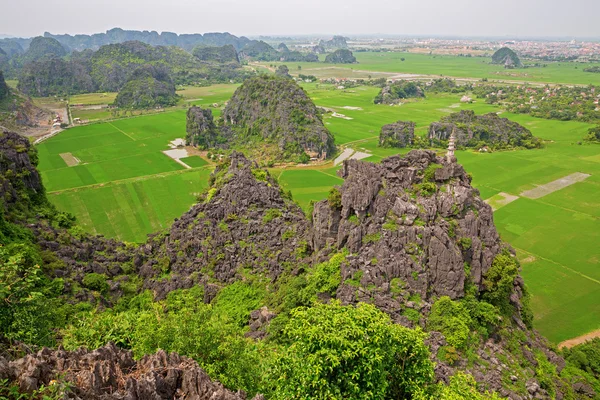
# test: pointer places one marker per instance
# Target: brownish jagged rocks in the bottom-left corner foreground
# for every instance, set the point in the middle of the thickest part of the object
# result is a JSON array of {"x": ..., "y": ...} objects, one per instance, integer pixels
[{"x": 112, "y": 373}]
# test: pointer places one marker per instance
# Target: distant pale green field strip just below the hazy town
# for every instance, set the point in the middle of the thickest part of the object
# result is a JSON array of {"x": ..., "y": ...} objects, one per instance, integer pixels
[{"x": 390, "y": 64}]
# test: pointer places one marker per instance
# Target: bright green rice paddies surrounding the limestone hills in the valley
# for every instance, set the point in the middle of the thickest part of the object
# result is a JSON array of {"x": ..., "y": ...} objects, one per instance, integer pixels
[{"x": 125, "y": 187}]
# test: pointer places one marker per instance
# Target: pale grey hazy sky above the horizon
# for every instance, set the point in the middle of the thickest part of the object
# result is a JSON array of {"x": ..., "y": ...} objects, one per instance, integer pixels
[{"x": 576, "y": 18}]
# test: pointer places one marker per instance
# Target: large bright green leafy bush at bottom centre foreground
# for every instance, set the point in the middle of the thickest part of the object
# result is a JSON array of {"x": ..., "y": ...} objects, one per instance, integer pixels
[{"x": 347, "y": 352}]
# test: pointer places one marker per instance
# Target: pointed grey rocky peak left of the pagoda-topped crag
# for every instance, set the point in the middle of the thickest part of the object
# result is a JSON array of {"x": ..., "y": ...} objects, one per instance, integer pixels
[{"x": 244, "y": 221}]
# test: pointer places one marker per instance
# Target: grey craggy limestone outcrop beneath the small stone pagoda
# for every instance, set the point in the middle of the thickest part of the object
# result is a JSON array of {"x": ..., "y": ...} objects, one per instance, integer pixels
[{"x": 411, "y": 224}]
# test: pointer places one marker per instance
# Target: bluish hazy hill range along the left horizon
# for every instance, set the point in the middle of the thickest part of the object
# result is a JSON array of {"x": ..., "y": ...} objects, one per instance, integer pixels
[{"x": 118, "y": 35}]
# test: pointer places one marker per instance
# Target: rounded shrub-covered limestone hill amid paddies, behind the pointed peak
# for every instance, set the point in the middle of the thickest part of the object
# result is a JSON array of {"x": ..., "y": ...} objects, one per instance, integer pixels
[{"x": 272, "y": 117}]
